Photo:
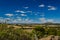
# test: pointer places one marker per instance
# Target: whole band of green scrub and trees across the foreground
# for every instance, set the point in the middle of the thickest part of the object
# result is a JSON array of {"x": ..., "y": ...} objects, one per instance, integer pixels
[{"x": 12, "y": 33}]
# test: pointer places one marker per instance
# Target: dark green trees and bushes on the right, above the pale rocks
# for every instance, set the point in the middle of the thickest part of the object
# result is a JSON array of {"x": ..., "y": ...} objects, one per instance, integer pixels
[{"x": 43, "y": 32}]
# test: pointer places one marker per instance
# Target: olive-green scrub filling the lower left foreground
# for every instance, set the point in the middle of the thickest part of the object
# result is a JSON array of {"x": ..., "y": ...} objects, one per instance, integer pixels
[{"x": 13, "y": 34}]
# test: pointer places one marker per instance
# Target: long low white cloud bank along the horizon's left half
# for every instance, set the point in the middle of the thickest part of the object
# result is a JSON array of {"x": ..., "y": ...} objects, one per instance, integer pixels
[{"x": 17, "y": 20}]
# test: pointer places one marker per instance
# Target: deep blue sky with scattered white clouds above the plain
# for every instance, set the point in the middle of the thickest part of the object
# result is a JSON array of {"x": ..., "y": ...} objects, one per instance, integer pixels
[{"x": 30, "y": 11}]
